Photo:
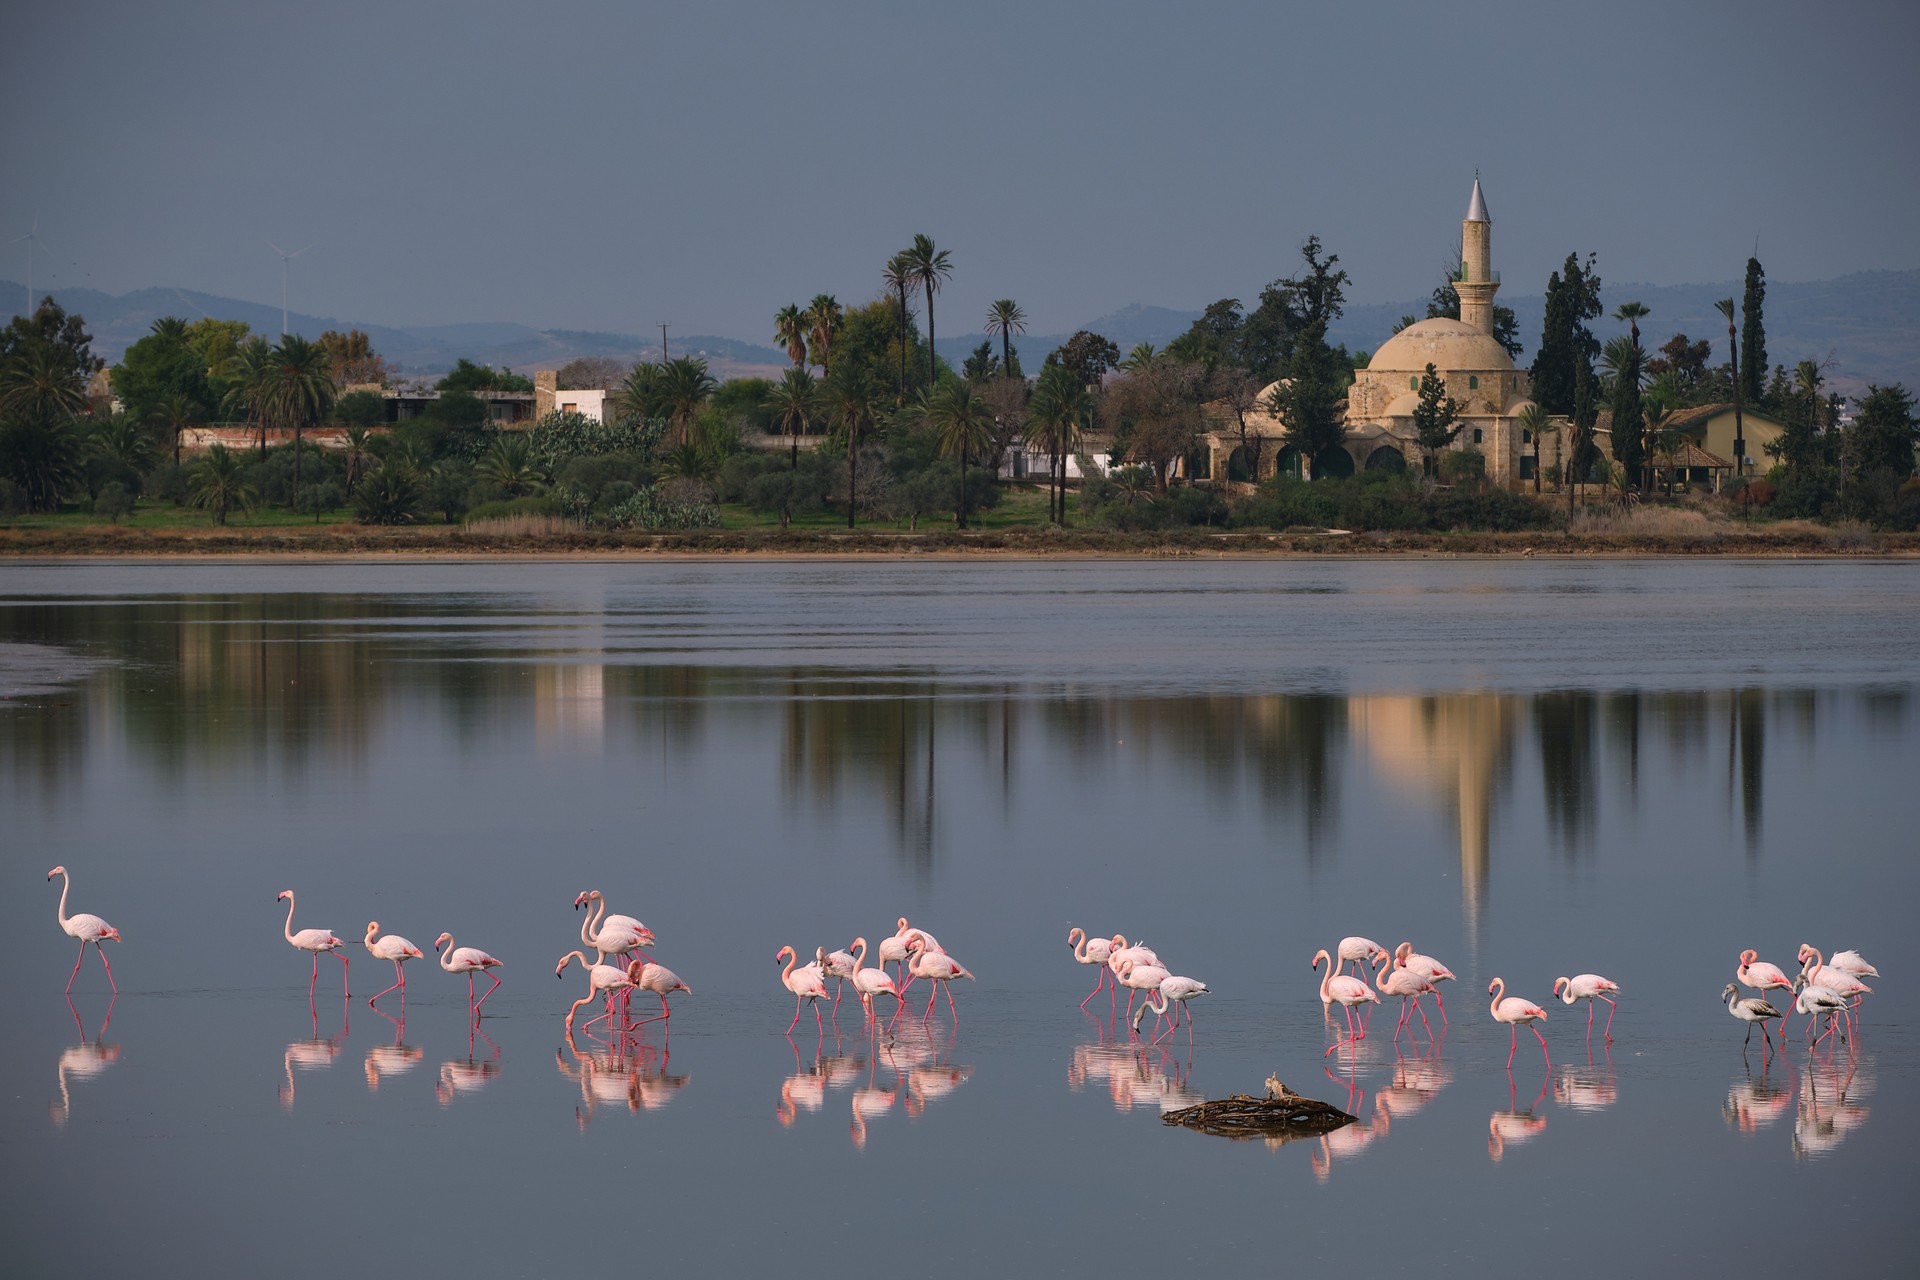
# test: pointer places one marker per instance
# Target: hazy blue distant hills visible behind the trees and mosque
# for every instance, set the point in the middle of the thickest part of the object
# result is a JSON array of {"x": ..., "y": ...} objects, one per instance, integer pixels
[{"x": 1867, "y": 325}]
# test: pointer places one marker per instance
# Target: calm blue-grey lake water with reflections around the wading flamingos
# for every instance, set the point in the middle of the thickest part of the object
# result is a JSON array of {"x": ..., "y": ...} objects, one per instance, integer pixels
[{"x": 1635, "y": 769}]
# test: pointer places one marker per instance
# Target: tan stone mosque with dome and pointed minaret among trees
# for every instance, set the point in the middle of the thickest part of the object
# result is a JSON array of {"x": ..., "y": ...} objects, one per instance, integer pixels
[{"x": 1380, "y": 412}]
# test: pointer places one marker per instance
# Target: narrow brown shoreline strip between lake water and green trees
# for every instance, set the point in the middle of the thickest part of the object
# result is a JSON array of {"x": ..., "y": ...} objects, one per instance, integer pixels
[{"x": 452, "y": 544}]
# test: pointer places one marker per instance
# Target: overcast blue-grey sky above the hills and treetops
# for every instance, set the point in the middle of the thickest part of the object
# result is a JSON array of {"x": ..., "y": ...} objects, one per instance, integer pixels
[{"x": 617, "y": 164}]
